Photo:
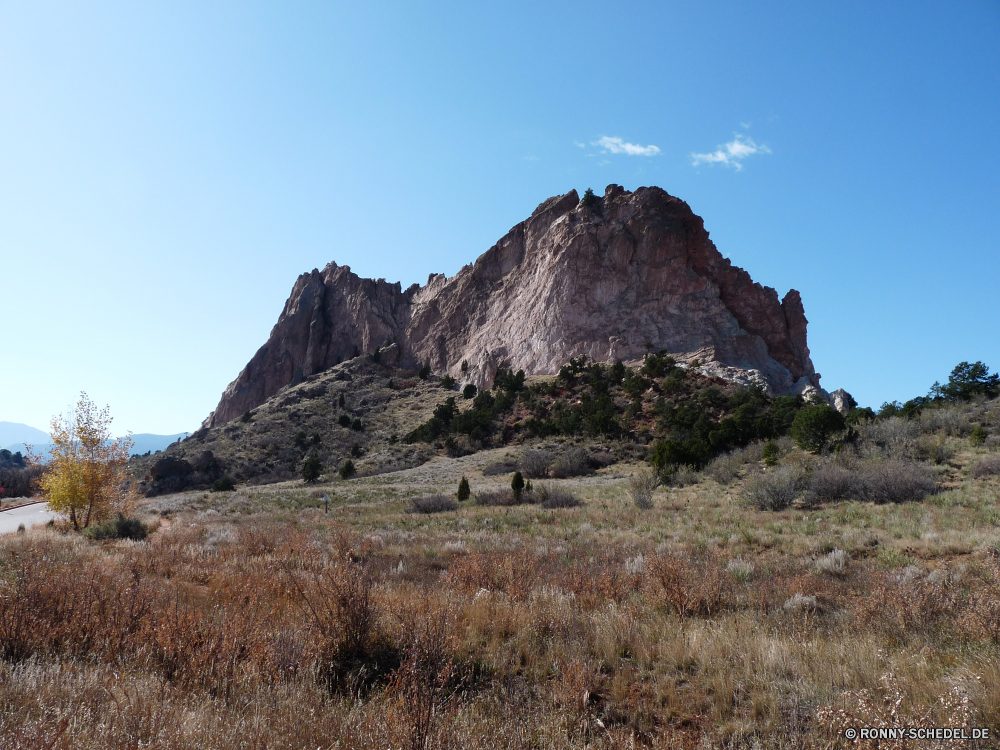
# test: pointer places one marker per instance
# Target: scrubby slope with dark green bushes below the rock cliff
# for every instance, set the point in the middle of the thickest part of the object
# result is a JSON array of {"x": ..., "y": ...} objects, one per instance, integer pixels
[{"x": 386, "y": 418}]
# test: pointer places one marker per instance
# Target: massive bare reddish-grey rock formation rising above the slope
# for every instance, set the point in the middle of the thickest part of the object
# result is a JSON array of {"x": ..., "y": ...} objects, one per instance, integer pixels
[{"x": 603, "y": 281}]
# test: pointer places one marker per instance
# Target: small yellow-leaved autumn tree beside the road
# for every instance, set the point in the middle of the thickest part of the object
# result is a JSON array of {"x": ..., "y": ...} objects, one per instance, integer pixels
[{"x": 87, "y": 474}]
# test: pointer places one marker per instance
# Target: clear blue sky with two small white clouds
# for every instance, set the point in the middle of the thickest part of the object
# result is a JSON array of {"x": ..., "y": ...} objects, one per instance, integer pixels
[{"x": 167, "y": 169}]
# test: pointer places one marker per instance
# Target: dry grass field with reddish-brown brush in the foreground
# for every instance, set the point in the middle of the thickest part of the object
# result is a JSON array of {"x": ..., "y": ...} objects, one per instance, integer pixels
[{"x": 253, "y": 619}]
